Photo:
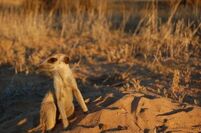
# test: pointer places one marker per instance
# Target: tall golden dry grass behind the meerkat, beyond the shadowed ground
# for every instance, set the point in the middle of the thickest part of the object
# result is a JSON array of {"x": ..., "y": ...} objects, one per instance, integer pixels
[{"x": 86, "y": 31}]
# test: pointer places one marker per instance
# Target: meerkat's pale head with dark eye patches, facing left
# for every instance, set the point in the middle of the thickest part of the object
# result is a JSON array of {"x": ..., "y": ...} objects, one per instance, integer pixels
[{"x": 54, "y": 63}]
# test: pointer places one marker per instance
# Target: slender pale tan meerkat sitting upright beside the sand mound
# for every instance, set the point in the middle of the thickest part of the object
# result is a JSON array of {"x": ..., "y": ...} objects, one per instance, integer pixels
[{"x": 65, "y": 87}]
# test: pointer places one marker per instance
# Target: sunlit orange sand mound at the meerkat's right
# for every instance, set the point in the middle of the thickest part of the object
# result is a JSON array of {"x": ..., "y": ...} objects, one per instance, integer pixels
[{"x": 130, "y": 113}]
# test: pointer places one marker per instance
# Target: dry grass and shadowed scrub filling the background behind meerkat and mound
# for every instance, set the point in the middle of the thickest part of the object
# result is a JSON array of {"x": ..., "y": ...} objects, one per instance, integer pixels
[{"x": 147, "y": 47}]
